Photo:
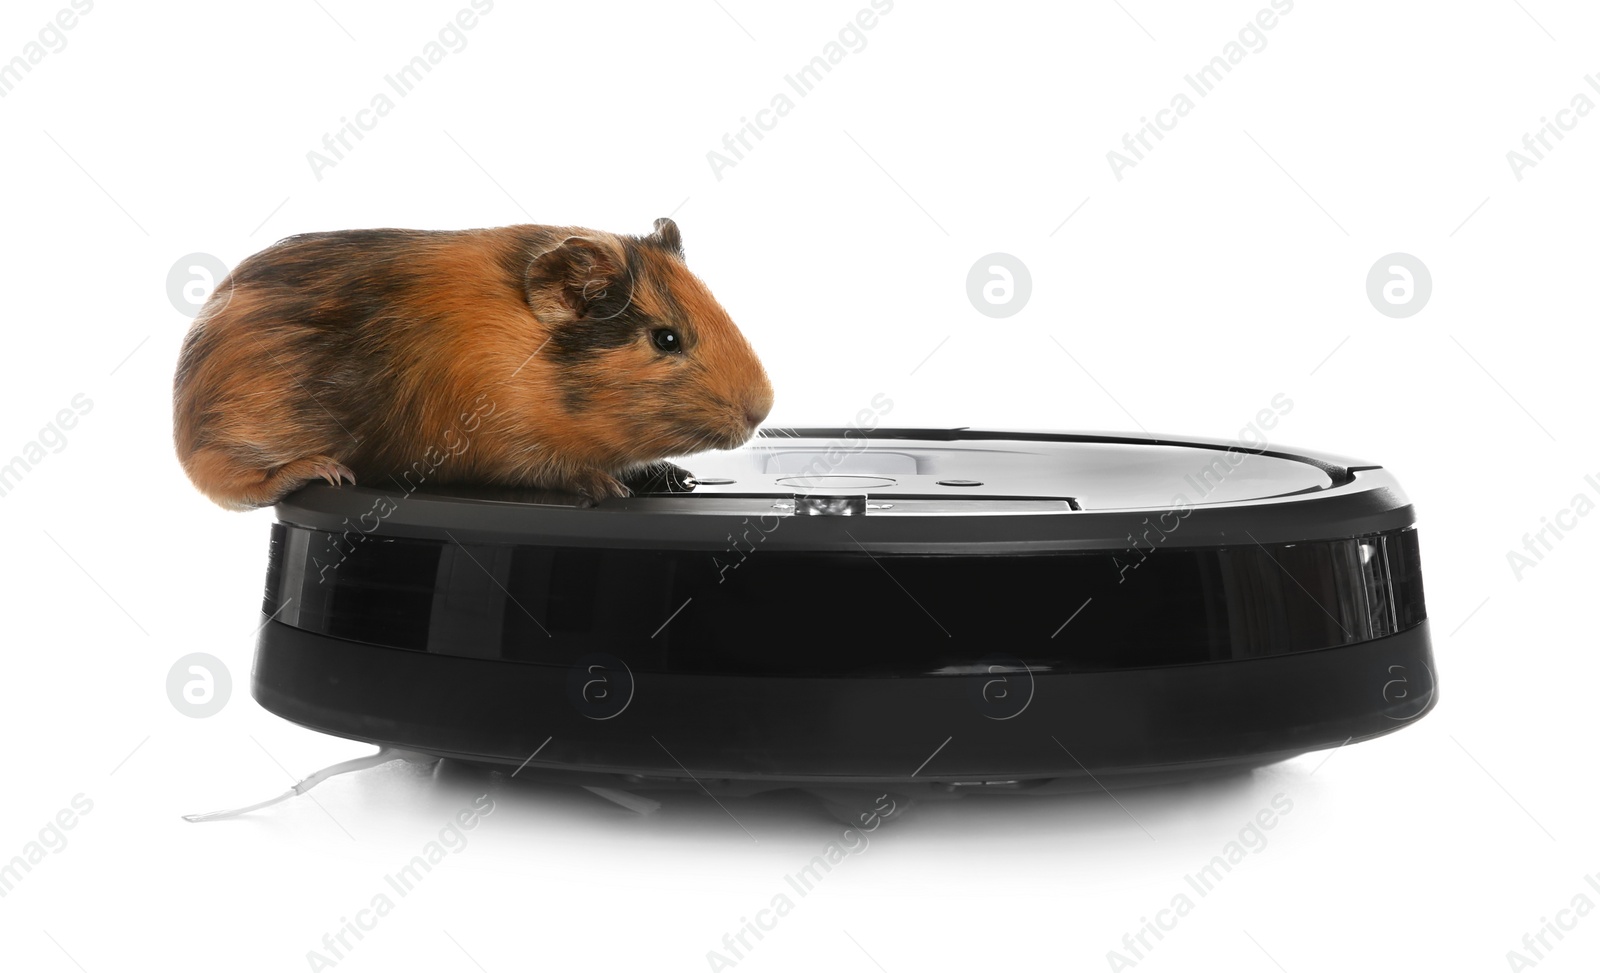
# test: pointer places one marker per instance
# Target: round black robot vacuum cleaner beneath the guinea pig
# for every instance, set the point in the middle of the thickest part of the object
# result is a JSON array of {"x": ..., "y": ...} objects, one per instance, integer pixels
[{"x": 922, "y": 611}]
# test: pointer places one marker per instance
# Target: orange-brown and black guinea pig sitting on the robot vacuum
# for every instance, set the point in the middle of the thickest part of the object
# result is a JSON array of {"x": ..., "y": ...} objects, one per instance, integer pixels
[{"x": 530, "y": 356}]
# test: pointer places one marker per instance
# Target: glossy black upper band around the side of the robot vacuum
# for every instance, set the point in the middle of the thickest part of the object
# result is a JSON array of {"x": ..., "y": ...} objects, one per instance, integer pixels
[{"x": 810, "y": 614}]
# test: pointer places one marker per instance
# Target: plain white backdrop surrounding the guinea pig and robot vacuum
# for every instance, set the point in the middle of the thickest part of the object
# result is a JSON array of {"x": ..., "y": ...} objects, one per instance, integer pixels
[{"x": 1223, "y": 270}]
